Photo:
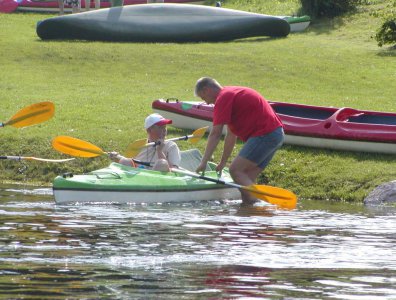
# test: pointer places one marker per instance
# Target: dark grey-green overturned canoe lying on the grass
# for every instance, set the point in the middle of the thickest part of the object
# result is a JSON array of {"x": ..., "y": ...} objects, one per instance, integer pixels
[{"x": 162, "y": 23}]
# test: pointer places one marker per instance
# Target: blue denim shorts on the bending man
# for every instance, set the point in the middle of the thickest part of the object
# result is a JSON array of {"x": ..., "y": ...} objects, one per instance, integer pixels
[{"x": 261, "y": 149}]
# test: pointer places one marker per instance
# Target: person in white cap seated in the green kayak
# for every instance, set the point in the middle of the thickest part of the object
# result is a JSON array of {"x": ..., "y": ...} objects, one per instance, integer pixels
[{"x": 163, "y": 156}]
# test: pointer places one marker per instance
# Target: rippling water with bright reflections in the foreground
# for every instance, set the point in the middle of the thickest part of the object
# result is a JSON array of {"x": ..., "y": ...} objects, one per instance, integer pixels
[{"x": 206, "y": 250}]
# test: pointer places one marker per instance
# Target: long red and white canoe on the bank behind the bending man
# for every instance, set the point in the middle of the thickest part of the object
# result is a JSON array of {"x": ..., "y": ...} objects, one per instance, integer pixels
[{"x": 305, "y": 125}]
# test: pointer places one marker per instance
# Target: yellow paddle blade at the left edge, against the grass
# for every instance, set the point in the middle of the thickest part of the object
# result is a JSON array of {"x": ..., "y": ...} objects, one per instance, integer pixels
[{"x": 31, "y": 115}]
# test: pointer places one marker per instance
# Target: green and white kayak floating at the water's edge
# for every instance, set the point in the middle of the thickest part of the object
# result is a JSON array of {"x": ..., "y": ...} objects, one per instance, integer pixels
[{"x": 122, "y": 184}]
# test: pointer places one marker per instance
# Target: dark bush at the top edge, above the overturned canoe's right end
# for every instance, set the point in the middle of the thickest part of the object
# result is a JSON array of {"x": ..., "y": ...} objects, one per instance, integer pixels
[{"x": 327, "y": 8}]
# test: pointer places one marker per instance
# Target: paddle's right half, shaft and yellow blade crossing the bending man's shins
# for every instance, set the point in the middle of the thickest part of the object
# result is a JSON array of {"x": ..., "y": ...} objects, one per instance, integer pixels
[{"x": 274, "y": 195}]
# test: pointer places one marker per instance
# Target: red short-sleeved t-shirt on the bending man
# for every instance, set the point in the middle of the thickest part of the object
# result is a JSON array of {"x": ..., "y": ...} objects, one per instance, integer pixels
[{"x": 245, "y": 111}]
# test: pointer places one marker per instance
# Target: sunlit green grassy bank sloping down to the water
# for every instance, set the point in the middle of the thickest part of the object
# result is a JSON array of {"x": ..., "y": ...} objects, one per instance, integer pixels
[{"x": 103, "y": 92}]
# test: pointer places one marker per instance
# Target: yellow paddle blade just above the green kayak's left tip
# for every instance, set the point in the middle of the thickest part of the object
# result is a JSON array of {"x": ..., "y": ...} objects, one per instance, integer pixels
[{"x": 76, "y": 147}]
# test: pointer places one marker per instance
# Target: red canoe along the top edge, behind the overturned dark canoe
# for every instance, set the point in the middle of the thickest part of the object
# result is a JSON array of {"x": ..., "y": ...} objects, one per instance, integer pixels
[{"x": 8, "y": 6}]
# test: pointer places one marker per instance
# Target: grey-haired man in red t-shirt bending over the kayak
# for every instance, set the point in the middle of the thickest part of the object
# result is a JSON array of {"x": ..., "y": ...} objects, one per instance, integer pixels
[{"x": 248, "y": 116}]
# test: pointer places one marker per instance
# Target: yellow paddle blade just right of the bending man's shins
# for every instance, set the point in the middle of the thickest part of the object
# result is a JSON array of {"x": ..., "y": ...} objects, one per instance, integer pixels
[{"x": 274, "y": 195}]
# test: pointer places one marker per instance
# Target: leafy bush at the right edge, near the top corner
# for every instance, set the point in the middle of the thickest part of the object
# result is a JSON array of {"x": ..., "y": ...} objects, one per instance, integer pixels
[{"x": 386, "y": 34}]
